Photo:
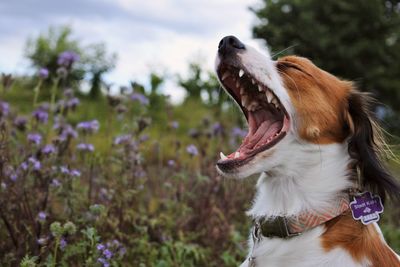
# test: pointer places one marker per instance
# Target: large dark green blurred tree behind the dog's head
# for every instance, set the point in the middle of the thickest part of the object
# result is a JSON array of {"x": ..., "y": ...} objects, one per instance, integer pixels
[{"x": 357, "y": 40}]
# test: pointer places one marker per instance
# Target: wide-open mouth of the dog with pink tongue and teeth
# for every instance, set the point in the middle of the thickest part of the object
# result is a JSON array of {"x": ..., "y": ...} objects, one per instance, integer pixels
[{"x": 267, "y": 118}]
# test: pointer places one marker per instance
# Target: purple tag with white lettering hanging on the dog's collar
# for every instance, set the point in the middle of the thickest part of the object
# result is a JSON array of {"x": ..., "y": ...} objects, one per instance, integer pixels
[{"x": 366, "y": 208}]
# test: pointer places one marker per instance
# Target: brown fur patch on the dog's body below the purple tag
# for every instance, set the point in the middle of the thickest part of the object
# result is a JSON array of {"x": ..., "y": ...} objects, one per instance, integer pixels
[{"x": 360, "y": 241}]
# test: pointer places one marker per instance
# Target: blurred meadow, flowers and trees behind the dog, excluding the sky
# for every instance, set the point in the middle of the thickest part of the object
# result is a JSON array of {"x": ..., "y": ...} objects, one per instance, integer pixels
[{"x": 92, "y": 174}]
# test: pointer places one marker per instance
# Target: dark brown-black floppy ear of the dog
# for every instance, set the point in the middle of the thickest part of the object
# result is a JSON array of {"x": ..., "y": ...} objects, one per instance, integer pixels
[{"x": 367, "y": 146}]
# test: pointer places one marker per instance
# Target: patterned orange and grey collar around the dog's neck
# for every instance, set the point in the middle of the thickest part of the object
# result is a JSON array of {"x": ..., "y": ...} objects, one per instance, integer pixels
[{"x": 286, "y": 227}]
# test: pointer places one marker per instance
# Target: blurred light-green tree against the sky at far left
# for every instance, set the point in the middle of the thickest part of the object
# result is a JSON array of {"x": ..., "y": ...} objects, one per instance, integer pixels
[{"x": 50, "y": 49}]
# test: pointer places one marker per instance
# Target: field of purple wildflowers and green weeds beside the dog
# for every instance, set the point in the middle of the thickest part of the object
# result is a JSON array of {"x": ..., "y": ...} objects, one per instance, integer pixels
[{"x": 125, "y": 180}]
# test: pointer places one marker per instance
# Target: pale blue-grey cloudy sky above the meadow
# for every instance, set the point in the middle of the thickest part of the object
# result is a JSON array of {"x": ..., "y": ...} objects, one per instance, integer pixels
[{"x": 147, "y": 35}]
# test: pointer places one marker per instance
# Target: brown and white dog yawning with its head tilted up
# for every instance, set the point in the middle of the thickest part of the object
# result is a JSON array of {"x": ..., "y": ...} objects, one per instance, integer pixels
[{"x": 310, "y": 134}]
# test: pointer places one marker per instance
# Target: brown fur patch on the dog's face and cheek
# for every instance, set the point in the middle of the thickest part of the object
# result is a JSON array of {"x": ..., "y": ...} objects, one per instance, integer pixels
[{"x": 320, "y": 100}]
